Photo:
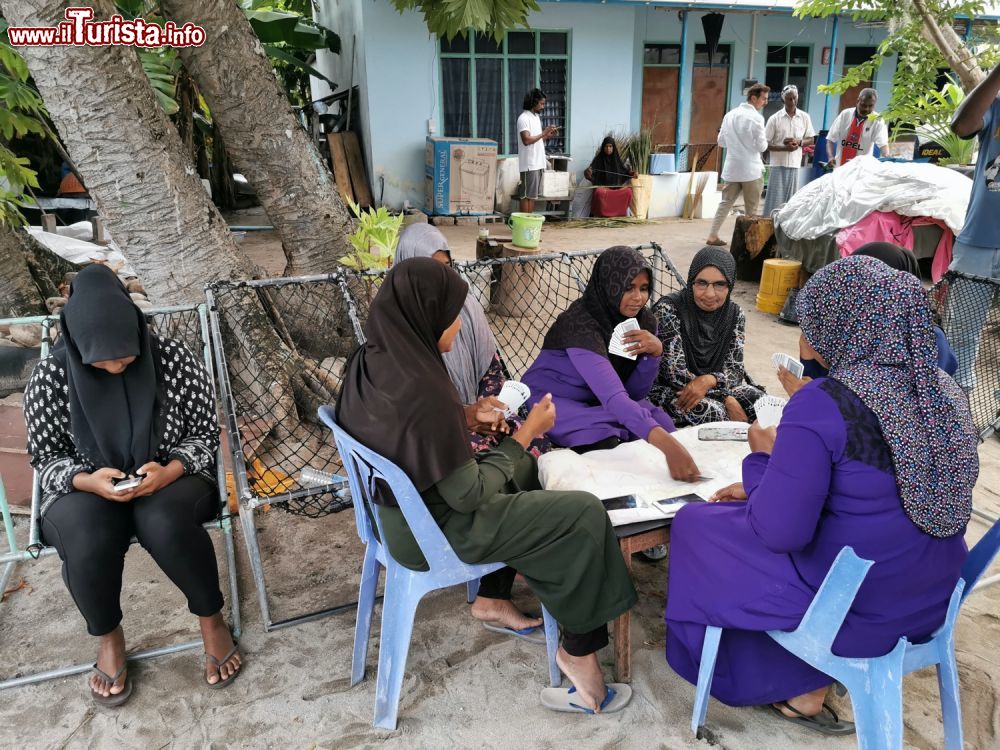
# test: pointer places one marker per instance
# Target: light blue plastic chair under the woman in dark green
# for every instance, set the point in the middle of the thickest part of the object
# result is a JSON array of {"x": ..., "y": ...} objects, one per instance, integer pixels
[{"x": 404, "y": 588}]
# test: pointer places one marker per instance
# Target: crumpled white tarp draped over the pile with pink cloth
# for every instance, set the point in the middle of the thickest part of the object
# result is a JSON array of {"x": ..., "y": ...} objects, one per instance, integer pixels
[{"x": 848, "y": 194}]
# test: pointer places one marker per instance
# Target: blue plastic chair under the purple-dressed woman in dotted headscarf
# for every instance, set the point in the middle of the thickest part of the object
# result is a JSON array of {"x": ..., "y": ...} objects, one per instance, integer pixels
[{"x": 875, "y": 685}]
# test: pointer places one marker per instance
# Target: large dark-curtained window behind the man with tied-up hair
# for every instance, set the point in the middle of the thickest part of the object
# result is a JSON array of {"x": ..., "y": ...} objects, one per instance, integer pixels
[{"x": 483, "y": 84}]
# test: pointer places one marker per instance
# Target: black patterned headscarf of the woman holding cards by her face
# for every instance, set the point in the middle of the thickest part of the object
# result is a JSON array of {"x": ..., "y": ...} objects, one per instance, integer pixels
[{"x": 589, "y": 322}]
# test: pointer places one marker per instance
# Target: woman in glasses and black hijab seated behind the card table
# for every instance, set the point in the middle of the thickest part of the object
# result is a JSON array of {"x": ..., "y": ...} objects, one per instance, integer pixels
[{"x": 701, "y": 374}]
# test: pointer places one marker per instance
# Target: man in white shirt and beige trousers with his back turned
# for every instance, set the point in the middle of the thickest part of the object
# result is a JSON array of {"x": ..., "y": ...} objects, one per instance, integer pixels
[{"x": 742, "y": 135}]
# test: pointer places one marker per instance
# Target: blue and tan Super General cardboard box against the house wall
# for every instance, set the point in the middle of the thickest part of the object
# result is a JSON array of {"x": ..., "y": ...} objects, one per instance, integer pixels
[{"x": 461, "y": 175}]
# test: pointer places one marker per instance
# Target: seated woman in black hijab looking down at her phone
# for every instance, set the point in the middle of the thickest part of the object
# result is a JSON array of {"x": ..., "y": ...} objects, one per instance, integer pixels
[{"x": 114, "y": 403}]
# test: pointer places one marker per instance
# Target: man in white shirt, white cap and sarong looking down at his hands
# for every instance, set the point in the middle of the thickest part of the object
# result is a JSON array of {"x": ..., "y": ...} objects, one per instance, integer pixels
[{"x": 787, "y": 131}]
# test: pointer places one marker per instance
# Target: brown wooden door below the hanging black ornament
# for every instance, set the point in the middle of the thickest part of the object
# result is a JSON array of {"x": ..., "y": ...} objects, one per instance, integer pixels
[{"x": 709, "y": 102}]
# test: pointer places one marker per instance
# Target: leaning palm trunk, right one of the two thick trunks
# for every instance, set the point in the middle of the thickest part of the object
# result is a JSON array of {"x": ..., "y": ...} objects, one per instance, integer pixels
[{"x": 265, "y": 141}]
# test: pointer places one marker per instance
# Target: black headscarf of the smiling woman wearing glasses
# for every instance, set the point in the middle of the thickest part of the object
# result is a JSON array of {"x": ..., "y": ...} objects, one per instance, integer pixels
[{"x": 706, "y": 336}]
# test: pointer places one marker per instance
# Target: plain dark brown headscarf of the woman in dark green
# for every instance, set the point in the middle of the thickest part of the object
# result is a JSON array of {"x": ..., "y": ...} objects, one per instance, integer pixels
[{"x": 397, "y": 396}]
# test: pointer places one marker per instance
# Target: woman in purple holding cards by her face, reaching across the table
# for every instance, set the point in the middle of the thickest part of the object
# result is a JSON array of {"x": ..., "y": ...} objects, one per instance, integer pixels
[{"x": 601, "y": 397}]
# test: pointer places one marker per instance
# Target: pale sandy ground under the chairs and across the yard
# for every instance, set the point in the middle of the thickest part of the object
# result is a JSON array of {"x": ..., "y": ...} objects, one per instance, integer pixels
[{"x": 464, "y": 687}]
